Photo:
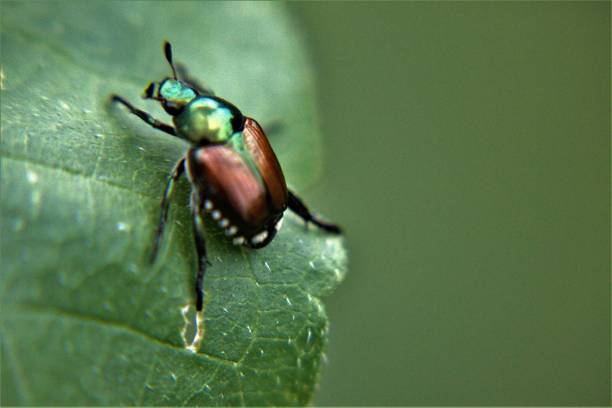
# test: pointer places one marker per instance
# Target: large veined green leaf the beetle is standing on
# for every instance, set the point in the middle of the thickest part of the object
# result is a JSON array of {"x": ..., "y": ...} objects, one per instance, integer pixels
[{"x": 84, "y": 319}]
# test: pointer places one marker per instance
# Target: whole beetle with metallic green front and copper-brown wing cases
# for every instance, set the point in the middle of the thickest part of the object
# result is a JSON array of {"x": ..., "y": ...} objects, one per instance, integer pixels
[{"x": 233, "y": 171}]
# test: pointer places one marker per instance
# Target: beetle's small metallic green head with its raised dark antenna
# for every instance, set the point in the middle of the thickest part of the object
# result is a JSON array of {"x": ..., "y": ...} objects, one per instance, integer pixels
[{"x": 170, "y": 92}]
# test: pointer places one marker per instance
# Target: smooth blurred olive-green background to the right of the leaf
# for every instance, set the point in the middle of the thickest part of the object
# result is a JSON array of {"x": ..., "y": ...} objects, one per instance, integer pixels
[{"x": 467, "y": 154}]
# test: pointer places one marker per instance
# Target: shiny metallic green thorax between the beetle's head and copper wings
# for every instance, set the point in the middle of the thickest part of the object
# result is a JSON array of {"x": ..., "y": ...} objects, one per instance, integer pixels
[{"x": 205, "y": 118}]
